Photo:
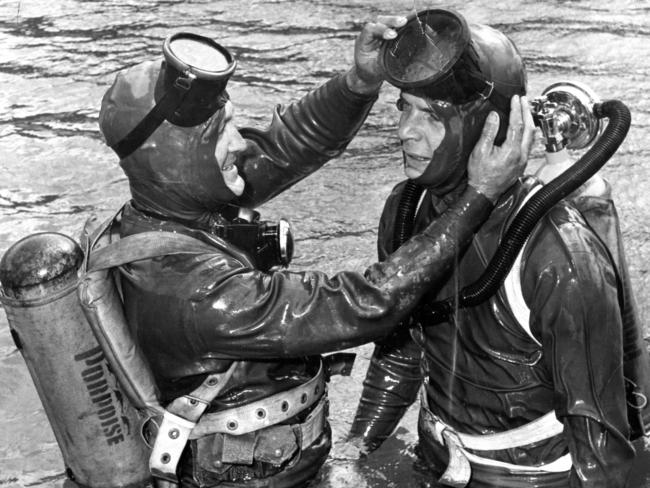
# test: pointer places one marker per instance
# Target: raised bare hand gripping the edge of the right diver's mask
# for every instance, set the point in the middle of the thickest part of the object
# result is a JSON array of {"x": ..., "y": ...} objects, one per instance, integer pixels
[{"x": 366, "y": 75}]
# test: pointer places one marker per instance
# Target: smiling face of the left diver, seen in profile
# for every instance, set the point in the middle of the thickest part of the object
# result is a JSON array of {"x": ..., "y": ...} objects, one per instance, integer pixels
[{"x": 229, "y": 144}]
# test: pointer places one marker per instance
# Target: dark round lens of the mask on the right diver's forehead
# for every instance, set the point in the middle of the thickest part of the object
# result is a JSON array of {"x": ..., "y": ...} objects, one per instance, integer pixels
[{"x": 425, "y": 49}]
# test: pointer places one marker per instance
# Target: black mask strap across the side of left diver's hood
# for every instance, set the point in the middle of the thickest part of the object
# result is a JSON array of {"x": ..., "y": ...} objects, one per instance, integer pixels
[{"x": 167, "y": 104}]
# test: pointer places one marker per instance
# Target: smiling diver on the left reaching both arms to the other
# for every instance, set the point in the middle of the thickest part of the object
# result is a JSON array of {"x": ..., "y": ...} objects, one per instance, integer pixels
[{"x": 195, "y": 314}]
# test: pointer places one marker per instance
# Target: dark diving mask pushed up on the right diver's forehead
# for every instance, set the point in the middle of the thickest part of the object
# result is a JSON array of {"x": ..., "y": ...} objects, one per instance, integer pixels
[{"x": 434, "y": 55}]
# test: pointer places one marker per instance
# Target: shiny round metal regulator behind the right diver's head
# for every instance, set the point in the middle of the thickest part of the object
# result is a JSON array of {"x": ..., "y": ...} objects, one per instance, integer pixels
[{"x": 564, "y": 112}]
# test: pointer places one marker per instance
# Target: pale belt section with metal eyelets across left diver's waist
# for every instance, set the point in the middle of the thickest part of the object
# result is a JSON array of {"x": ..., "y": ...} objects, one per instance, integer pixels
[{"x": 262, "y": 413}]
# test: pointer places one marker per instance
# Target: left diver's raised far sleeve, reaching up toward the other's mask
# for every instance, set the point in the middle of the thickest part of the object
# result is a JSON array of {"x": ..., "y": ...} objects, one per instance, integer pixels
[{"x": 302, "y": 137}]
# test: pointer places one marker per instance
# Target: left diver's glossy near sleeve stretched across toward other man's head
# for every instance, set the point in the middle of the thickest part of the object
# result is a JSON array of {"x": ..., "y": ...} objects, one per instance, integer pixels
[{"x": 248, "y": 313}]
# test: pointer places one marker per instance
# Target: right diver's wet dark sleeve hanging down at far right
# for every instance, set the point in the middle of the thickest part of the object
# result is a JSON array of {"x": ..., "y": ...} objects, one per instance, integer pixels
[{"x": 570, "y": 286}]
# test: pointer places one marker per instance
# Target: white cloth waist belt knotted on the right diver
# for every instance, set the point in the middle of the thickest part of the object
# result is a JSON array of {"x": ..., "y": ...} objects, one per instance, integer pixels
[{"x": 459, "y": 469}]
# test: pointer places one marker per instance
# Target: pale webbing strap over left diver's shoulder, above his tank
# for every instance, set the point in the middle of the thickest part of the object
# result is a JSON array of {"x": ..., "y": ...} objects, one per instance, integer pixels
[{"x": 145, "y": 245}]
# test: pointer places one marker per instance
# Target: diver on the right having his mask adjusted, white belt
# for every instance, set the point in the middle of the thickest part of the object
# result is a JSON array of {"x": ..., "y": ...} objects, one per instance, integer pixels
[{"x": 482, "y": 371}]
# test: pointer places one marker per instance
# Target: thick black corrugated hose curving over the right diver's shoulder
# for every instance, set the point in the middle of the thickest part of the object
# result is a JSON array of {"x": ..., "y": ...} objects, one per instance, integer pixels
[{"x": 540, "y": 203}]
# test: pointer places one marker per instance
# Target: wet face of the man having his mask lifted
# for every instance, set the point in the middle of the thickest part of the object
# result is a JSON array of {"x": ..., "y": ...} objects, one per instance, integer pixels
[{"x": 421, "y": 131}]
